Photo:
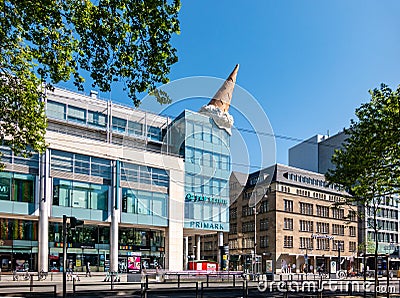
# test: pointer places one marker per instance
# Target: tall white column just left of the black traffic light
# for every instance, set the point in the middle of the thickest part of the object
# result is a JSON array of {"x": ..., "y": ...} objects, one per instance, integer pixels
[{"x": 44, "y": 211}]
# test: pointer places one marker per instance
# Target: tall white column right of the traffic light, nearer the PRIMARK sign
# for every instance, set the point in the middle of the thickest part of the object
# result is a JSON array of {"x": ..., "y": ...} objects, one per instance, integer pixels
[{"x": 115, "y": 212}]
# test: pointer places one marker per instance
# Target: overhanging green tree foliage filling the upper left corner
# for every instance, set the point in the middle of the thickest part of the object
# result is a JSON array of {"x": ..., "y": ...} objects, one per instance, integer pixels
[{"x": 45, "y": 42}]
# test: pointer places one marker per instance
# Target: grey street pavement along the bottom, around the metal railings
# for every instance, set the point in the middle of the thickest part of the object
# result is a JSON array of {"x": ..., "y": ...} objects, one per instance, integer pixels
[{"x": 95, "y": 286}]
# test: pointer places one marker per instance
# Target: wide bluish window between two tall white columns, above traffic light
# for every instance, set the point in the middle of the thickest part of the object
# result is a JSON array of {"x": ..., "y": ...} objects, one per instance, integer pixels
[{"x": 80, "y": 194}]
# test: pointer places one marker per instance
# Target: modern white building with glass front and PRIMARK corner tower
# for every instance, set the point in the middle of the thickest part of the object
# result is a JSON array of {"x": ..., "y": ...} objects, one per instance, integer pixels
[{"x": 120, "y": 171}]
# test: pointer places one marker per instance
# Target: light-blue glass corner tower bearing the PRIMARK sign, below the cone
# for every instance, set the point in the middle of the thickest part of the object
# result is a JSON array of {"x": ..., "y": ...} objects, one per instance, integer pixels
[{"x": 207, "y": 170}]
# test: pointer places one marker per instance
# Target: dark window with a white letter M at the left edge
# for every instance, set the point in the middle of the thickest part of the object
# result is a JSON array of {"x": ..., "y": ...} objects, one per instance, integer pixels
[{"x": 17, "y": 187}]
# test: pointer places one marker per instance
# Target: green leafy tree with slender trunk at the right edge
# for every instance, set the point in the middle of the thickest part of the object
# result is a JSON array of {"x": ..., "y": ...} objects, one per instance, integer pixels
[{"x": 367, "y": 165}]
